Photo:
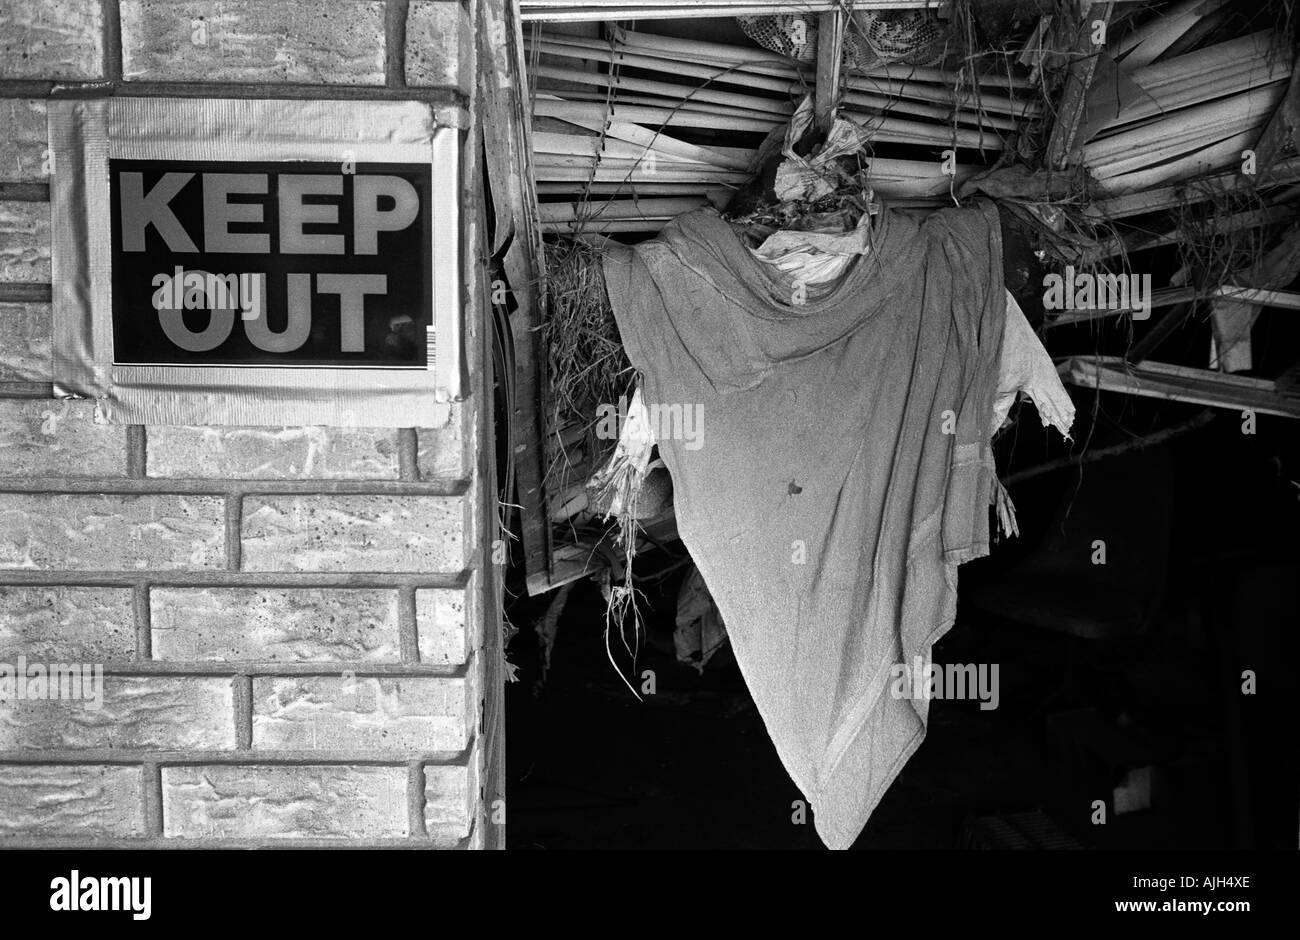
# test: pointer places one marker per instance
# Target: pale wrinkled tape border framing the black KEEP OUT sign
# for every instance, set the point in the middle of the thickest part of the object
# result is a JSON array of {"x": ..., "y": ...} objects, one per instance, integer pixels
[{"x": 85, "y": 133}]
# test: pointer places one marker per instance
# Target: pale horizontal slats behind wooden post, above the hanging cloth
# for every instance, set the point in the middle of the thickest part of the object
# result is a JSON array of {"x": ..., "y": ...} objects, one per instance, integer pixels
[{"x": 613, "y": 118}]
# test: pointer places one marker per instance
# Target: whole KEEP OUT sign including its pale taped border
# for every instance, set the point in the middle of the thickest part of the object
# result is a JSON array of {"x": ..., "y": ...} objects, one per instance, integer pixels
[{"x": 356, "y": 200}]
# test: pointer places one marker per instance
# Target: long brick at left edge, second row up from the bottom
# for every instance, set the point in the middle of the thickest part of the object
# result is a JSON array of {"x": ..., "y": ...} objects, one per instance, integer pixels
[{"x": 137, "y": 713}]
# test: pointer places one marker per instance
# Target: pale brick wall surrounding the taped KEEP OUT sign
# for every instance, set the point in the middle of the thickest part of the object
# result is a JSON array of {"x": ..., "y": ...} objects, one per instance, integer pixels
[{"x": 292, "y": 621}]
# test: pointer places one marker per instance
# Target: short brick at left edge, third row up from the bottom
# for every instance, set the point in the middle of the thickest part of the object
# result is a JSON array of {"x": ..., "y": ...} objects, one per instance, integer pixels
[{"x": 67, "y": 625}]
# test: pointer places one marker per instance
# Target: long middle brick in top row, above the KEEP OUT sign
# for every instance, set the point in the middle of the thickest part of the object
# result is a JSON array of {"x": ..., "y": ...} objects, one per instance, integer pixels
[{"x": 250, "y": 41}]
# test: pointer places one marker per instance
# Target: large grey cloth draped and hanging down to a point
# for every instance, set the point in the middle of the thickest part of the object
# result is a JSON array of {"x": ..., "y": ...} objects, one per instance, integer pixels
[{"x": 842, "y": 475}]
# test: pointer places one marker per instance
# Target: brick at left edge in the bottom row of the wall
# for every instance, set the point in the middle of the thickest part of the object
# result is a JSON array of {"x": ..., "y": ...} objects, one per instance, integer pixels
[{"x": 94, "y": 802}]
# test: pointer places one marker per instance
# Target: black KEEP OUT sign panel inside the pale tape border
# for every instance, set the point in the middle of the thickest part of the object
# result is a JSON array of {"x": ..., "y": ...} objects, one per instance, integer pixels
[{"x": 271, "y": 263}]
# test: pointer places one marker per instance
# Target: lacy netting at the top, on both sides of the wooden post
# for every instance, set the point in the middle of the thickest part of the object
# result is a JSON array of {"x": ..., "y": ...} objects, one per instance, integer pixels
[{"x": 872, "y": 38}]
